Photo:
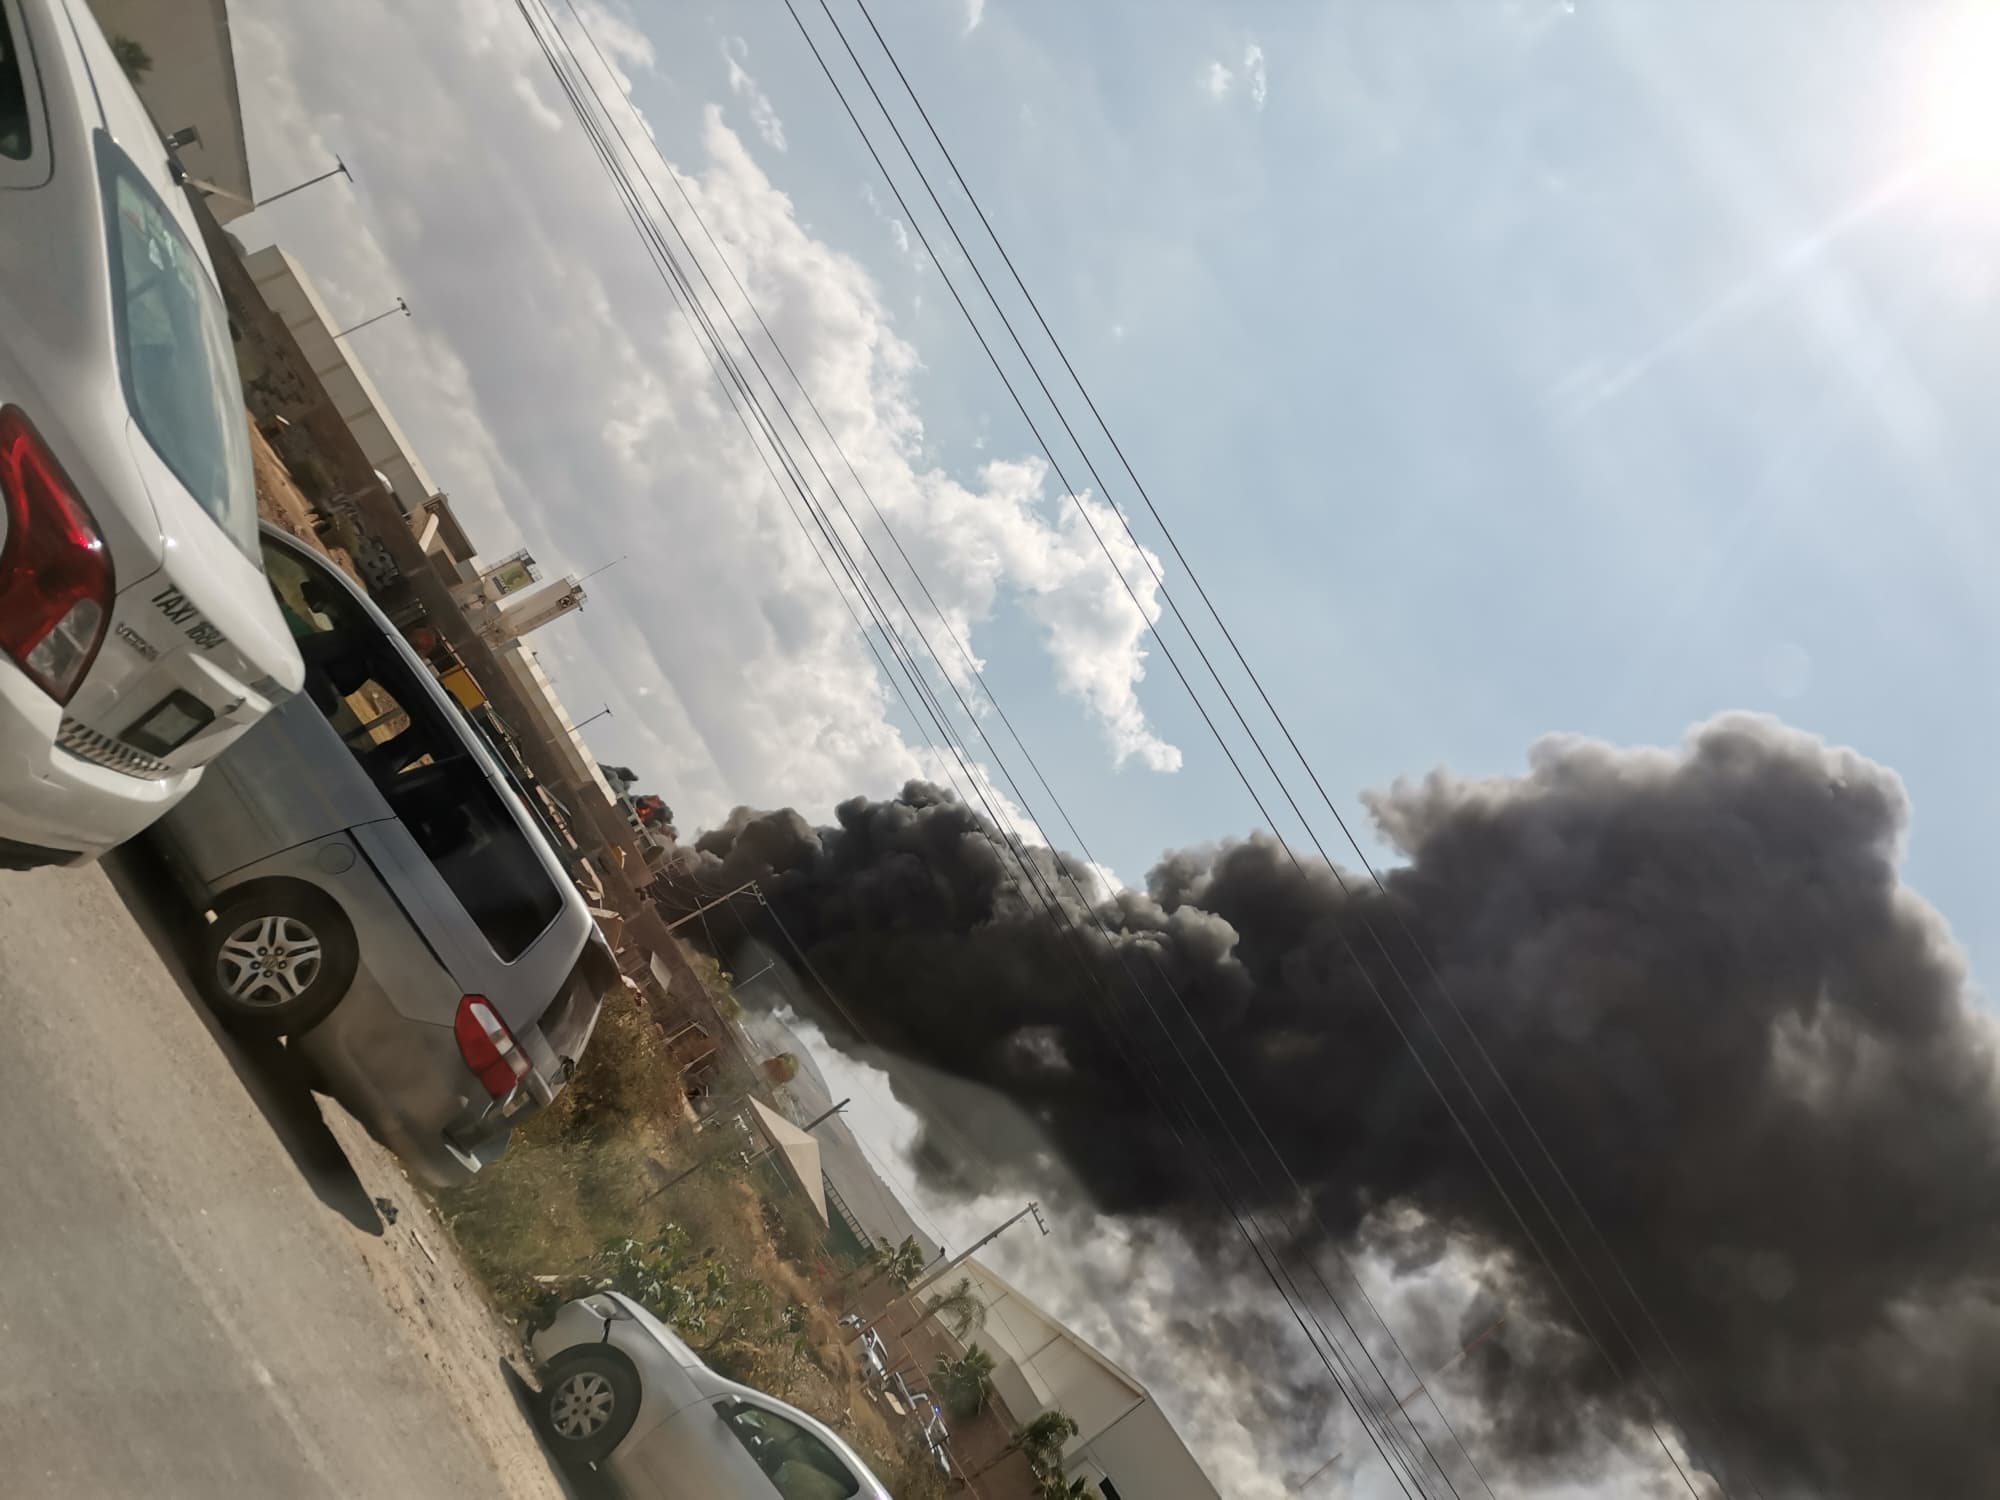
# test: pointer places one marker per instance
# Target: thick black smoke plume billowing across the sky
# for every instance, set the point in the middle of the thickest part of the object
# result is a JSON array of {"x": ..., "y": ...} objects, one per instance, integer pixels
[{"x": 1751, "y": 1051}]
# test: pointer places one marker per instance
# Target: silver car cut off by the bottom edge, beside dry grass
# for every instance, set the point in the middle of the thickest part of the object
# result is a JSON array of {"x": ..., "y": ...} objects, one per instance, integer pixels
[{"x": 623, "y": 1391}]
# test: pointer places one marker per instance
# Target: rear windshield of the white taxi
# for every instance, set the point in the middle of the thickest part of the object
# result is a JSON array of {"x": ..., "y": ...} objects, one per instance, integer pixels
[{"x": 175, "y": 351}]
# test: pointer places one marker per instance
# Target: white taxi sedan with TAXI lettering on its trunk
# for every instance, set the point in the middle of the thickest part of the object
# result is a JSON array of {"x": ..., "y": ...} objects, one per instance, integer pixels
[{"x": 137, "y": 635}]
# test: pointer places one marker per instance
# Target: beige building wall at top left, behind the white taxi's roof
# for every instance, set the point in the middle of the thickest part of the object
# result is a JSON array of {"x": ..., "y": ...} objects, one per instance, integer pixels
[{"x": 191, "y": 83}]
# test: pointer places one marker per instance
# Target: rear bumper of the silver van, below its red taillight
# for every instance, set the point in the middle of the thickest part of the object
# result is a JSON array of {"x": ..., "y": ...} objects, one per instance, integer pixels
[{"x": 411, "y": 1087}]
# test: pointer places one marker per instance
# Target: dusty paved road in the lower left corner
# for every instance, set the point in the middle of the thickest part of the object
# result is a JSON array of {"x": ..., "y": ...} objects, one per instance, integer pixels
[{"x": 183, "y": 1309}]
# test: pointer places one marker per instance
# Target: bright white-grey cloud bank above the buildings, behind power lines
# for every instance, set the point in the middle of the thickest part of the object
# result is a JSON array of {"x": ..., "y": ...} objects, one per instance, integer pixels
[{"x": 557, "y": 395}]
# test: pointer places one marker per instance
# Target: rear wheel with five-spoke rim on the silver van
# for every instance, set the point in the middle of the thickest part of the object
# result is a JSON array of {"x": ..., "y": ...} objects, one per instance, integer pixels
[{"x": 277, "y": 959}]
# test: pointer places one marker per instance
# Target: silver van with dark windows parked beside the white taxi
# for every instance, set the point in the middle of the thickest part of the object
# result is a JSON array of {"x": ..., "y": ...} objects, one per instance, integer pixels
[{"x": 381, "y": 895}]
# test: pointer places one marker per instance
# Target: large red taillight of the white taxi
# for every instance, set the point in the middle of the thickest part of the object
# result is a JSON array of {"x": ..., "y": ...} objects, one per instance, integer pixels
[{"x": 55, "y": 573}]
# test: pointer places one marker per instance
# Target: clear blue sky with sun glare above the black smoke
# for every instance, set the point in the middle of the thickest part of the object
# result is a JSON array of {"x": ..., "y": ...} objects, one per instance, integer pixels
[{"x": 1511, "y": 369}]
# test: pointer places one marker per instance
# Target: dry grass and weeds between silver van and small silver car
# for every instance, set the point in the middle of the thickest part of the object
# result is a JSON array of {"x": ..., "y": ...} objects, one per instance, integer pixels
[{"x": 617, "y": 1183}]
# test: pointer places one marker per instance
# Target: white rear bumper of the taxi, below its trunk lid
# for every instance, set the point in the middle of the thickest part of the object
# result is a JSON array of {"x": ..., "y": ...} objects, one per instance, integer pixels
[{"x": 51, "y": 801}]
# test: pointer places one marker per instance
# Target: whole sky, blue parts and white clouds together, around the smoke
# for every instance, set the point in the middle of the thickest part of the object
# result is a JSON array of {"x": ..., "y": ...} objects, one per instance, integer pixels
[{"x": 1507, "y": 369}]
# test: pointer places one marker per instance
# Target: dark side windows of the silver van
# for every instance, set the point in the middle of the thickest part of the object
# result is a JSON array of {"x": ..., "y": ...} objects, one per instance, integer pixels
[{"x": 419, "y": 761}]
